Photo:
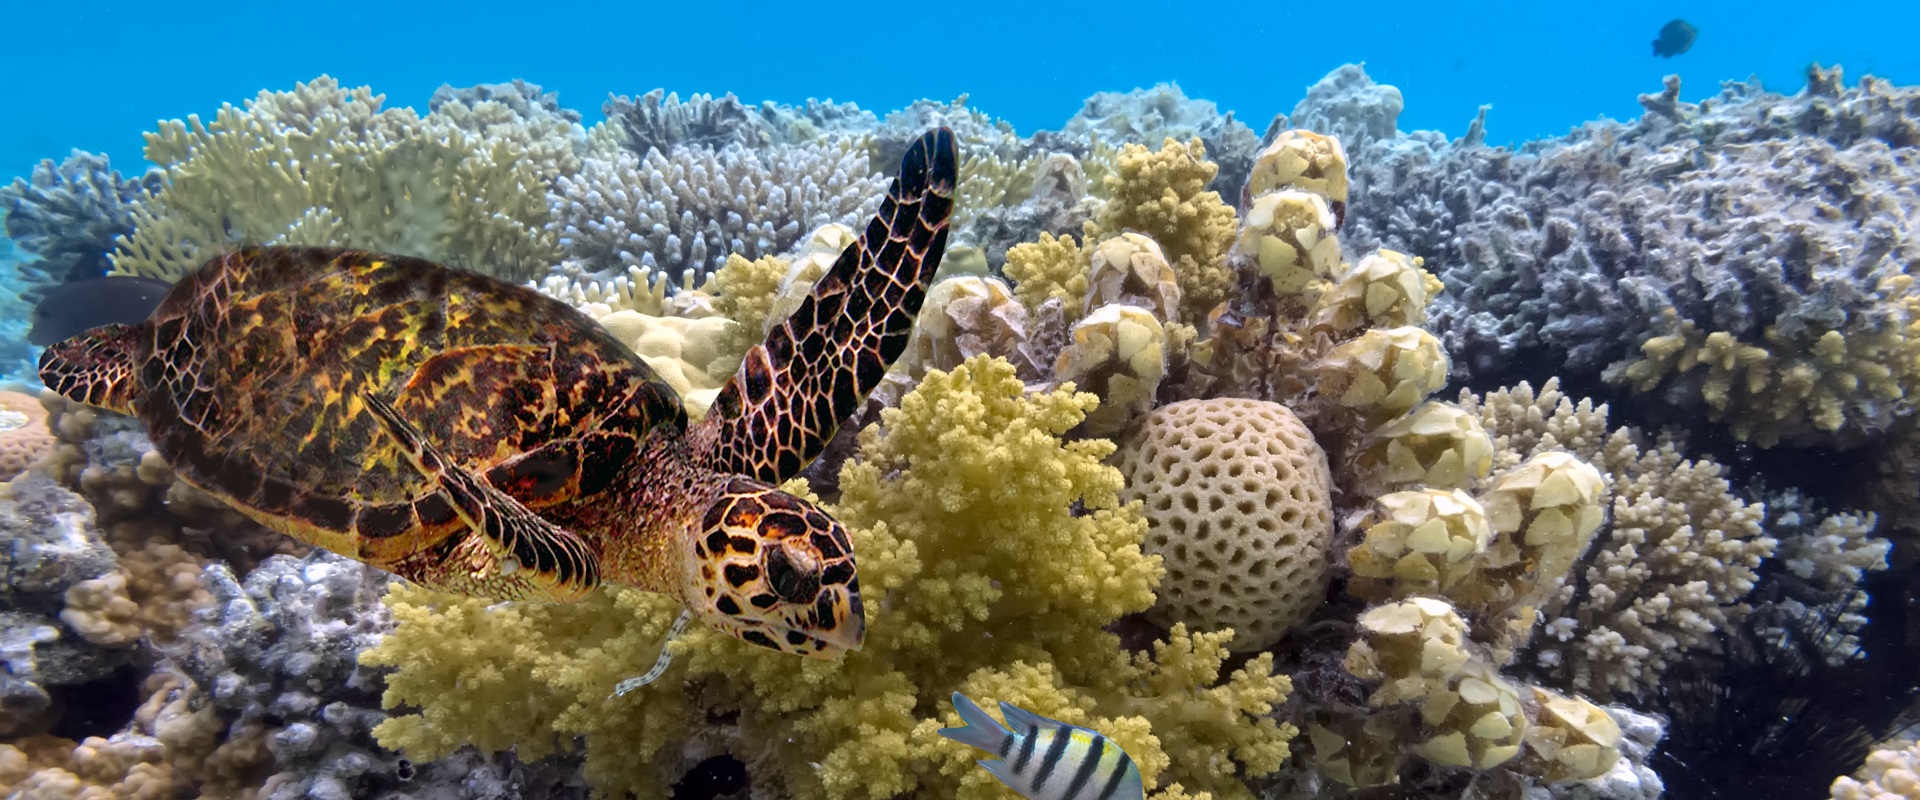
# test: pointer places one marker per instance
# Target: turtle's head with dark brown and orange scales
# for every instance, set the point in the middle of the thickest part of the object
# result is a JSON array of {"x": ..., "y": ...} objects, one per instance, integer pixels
[{"x": 775, "y": 571}]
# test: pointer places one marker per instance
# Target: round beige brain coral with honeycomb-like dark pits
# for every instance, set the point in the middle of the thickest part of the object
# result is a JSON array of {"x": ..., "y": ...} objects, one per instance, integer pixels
[{"x": 1239, "y": 506}]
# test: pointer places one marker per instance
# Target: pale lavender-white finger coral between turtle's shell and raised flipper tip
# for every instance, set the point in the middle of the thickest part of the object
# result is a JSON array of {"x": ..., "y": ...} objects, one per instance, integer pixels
[{"x": 684, "y": 210}]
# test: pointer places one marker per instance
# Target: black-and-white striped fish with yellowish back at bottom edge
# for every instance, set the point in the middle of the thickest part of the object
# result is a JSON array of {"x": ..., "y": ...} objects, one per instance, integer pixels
[{"x": 1047, "y": 759}]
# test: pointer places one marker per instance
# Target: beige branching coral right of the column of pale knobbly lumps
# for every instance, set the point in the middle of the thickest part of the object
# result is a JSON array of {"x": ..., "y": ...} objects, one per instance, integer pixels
[{"x": 1671, "y": 569}]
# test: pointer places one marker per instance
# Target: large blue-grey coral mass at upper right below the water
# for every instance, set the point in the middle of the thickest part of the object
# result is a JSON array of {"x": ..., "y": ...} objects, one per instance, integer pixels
[{"x": 1740, "y": 258}]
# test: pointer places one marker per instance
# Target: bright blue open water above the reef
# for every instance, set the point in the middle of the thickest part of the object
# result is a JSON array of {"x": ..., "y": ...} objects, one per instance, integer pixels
[{"x": 97, "y": 76}]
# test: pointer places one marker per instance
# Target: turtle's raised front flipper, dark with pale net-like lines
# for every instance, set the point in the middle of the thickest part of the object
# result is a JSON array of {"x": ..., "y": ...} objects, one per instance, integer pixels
[{"x": 815, "y": 369}]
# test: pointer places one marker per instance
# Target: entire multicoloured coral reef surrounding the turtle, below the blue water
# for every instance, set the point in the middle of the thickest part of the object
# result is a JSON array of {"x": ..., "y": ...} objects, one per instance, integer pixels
[{"x": 1163, "y": 456}]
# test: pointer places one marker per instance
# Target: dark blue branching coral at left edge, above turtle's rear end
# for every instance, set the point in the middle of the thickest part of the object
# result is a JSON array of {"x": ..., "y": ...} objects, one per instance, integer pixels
[{"x": 70, "y": 214}]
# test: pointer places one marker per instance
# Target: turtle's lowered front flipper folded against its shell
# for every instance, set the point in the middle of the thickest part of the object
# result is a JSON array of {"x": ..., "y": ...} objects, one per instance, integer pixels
[{"x": 517, "y": 557}]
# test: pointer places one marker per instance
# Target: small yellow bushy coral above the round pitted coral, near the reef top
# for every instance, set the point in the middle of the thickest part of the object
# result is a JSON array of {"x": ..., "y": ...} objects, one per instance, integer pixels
[{"x": 1164, "y": 197}]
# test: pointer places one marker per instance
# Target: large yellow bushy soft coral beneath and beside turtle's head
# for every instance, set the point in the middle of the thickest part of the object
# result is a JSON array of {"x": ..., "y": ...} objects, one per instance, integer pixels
[{"x": 971, "y": 515}]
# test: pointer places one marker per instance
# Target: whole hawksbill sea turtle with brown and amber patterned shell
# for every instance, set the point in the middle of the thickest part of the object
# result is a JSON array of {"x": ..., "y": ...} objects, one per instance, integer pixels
[{"x": 487, "y": 440}]
